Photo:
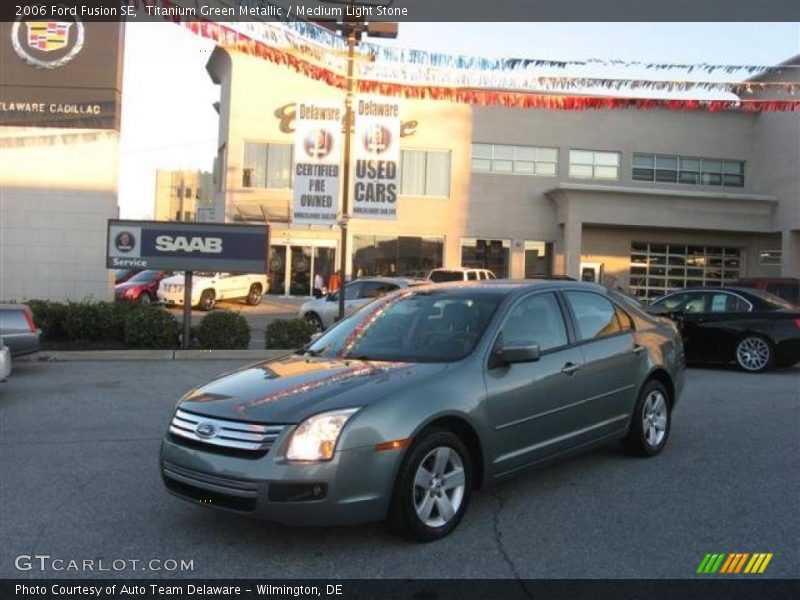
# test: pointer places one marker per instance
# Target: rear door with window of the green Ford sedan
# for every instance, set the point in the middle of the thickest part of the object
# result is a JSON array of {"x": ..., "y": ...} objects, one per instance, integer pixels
[{"x": 613, "y": 363}]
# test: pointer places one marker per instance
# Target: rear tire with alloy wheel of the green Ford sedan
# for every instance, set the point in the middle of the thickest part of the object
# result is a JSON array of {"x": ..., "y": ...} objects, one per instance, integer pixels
[{"x": 651, "y": 423}]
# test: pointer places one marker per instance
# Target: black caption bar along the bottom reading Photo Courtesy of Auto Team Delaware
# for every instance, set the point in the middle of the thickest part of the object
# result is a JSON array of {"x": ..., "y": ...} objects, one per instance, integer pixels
[{"x": 752, "y": 588}]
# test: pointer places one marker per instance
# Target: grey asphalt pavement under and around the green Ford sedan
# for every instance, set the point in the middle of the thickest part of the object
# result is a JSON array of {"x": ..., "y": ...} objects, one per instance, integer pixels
[{"x": 79, "y": 462}]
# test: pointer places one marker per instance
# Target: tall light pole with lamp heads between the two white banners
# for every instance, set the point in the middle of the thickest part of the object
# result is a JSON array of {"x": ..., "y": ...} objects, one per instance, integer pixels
[{"x": 352, "y": 28}]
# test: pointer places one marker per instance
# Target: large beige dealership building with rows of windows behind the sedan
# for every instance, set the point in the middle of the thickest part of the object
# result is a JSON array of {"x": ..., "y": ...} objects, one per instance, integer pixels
[{"x": 648, "y": 200}]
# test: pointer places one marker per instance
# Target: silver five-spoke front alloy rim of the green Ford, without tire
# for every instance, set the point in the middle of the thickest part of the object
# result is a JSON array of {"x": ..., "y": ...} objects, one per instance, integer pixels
[{"x": 439, "y": 486}]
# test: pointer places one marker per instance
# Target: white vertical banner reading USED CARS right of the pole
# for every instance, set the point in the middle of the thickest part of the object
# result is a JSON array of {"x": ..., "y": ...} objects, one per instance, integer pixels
[{"x": 377, "y": 155}]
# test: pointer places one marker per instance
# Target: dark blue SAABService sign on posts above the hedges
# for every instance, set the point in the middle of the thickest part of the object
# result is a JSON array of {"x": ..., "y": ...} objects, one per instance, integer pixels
[{"x": 176, "y": 246}]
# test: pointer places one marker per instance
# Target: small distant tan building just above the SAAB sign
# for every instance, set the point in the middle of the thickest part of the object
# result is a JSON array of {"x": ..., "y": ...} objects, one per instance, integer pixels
[{"x": 183, "y": 195}]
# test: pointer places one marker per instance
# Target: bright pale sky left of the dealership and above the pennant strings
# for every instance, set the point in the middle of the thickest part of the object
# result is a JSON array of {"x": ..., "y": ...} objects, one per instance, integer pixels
[{"x": 168, "y": 119}]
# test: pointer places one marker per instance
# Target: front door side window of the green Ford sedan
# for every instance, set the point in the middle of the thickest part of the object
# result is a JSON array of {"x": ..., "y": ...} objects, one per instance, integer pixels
[{"x": 536, "y": 319}]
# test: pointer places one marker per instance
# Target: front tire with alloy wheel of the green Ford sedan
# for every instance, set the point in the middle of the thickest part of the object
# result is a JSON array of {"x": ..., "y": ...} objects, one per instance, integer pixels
[{"x": 423, "y": 506}]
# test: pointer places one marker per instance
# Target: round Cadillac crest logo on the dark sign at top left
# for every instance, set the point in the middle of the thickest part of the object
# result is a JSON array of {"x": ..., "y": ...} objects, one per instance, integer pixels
[{"x": 47, "y": 44}]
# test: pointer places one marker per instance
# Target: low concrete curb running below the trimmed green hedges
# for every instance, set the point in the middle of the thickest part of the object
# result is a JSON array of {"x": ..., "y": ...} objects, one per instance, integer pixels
[{"x": 122, "y": 355}]
